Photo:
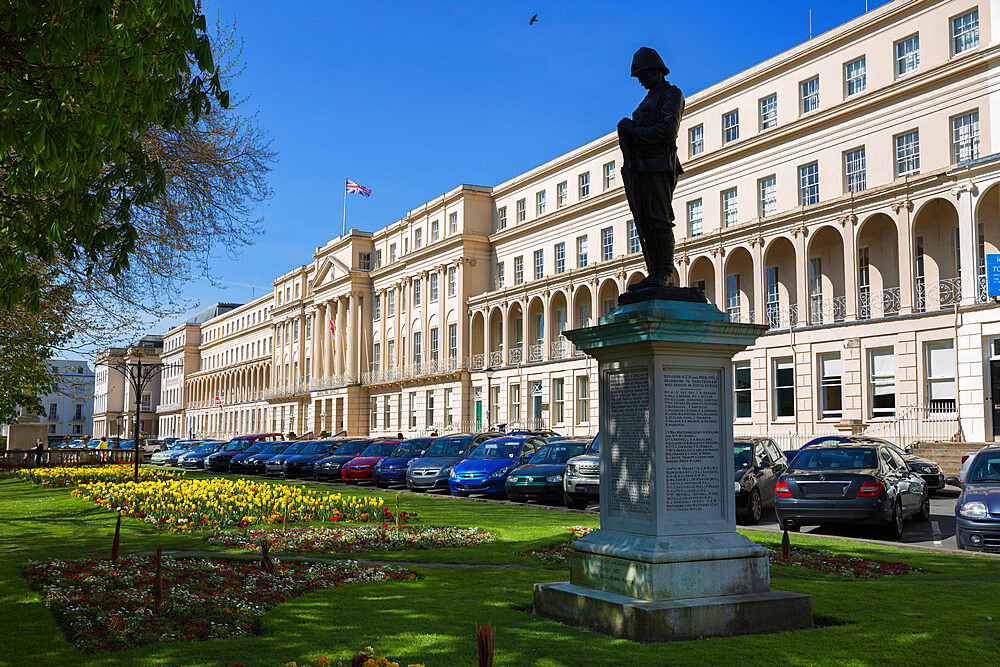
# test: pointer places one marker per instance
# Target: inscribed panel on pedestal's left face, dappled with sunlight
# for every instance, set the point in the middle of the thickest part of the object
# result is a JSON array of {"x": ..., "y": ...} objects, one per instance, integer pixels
[{"x": 631, "y": 469}]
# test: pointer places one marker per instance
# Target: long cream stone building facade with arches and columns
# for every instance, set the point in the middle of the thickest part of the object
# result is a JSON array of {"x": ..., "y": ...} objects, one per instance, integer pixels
[{"x": 845, "y": 193}]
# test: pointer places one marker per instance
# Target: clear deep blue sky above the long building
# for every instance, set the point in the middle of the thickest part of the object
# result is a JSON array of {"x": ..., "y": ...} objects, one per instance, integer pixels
[{"x": 413, "y": 98}]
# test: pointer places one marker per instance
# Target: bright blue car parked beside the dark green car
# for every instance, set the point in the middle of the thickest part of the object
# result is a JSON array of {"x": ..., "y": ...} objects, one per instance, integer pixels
[{"x": 486, "y": 468}]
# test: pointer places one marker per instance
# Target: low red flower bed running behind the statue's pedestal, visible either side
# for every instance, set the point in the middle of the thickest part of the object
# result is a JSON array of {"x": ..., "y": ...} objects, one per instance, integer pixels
[{"x": 821, "y": 560}]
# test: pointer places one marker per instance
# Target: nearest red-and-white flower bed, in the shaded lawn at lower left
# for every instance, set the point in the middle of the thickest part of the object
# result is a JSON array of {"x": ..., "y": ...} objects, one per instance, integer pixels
[{"x": 104, "y": 607}]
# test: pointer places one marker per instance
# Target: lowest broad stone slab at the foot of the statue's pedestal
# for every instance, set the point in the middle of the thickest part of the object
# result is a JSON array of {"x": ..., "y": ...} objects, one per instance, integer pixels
[{"x": 669, "y": 620}]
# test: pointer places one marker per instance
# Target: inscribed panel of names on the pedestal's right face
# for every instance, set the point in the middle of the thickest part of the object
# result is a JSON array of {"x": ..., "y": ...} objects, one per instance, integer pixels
[{"x": 693, "y": 449}]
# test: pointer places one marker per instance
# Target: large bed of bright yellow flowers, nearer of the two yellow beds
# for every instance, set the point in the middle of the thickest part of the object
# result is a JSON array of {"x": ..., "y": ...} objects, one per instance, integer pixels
[{"x": 185, "y": 504}]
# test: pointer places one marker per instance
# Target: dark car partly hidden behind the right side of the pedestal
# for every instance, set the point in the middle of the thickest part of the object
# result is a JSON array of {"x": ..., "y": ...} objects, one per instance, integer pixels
[{"x": 759, "y": 463}]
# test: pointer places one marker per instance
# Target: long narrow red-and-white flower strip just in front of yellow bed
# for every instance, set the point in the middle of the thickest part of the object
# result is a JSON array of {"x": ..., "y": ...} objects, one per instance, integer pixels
[{"x": 353, "y": 539}]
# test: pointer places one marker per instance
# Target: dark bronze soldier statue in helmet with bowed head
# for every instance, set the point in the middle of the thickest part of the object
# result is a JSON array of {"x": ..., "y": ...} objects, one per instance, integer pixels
[{"x": 650, "y": 170}]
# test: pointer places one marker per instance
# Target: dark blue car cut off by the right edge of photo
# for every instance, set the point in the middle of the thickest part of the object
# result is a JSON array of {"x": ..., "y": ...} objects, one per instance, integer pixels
[{"x": 977, "y": 512}]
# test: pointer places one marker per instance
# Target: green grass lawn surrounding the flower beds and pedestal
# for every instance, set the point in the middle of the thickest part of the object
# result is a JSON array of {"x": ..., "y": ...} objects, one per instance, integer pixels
[{"x": 939, "y": 617}]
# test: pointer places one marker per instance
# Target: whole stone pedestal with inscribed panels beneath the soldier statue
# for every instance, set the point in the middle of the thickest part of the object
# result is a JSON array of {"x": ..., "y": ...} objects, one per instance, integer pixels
[{"x": 667, "y": 562}]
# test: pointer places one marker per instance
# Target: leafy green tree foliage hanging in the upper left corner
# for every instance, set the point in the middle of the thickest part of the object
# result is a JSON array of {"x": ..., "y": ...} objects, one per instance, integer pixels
[{"x": 81, "y": 82}]
